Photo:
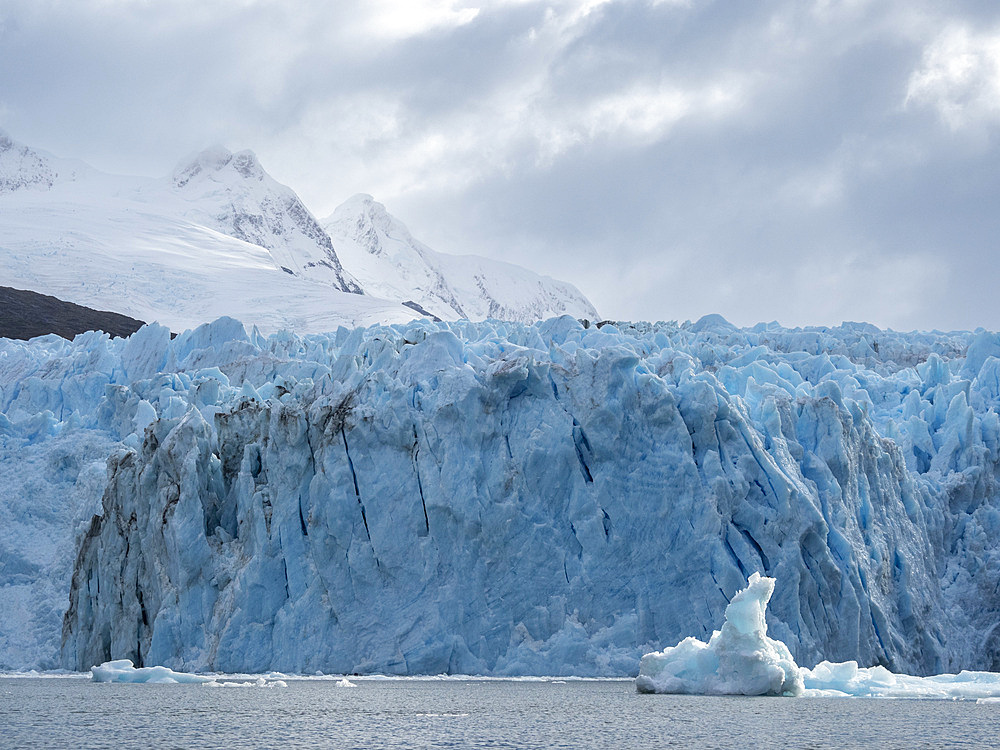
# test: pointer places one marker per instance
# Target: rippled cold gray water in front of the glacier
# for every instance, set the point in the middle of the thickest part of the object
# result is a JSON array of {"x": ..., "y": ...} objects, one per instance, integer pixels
[{"x": 54, "y": 712}]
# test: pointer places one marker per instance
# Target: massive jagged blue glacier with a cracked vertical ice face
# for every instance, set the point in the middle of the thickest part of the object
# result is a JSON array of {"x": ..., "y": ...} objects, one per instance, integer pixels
[{"x": 497, "y": 498}]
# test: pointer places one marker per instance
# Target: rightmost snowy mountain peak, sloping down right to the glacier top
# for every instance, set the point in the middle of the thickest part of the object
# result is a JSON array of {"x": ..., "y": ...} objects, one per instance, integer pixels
[{"x": 389, "y": 262}]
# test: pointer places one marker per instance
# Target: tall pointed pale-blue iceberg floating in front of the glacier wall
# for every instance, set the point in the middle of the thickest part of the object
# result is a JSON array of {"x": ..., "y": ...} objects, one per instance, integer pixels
[{"x": 738, "y": 660}]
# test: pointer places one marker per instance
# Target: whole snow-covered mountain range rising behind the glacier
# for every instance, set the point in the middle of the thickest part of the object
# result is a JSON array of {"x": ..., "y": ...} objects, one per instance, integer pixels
[{"x": 219, "y": 236}]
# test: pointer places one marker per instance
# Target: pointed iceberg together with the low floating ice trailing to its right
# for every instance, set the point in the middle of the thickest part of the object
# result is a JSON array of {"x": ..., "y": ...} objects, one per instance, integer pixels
[{"x": 741, "y": 659}]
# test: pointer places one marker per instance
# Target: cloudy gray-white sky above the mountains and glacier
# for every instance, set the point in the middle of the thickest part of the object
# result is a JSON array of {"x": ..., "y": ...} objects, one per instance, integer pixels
[{"x": 793, "y": 160}]
